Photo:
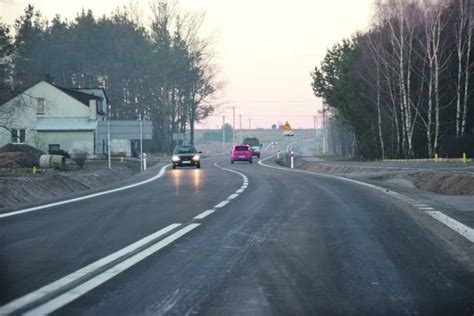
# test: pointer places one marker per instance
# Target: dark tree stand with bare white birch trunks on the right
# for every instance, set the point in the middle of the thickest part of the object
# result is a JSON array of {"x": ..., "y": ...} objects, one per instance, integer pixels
[{"x": 404, "y": 87}]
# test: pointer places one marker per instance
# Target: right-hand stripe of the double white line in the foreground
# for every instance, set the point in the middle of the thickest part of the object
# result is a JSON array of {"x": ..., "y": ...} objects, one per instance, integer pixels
[{"x": 91, "y": 284}]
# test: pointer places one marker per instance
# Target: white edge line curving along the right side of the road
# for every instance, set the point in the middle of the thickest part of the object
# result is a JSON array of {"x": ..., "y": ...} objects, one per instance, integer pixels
[{"x": 446, "y": 219}]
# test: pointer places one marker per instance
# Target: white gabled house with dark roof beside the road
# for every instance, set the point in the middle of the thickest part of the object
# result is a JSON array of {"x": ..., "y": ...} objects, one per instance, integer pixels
[{"x": 50, "y": 117}]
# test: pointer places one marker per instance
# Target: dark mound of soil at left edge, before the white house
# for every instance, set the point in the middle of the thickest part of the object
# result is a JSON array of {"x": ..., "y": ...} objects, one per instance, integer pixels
[{"x": 19, "y": 156}]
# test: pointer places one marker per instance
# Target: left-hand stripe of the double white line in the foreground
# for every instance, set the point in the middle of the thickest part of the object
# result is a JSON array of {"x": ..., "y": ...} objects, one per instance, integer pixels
[{"x": 56, "y": 285}]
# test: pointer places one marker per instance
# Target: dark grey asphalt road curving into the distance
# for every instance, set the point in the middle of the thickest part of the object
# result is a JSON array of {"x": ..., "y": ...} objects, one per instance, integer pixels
[{"x": 283, "y": 244}]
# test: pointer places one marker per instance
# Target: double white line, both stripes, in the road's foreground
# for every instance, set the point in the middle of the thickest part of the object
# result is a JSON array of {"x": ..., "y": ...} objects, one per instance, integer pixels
[{"x": 57, "y": 294}]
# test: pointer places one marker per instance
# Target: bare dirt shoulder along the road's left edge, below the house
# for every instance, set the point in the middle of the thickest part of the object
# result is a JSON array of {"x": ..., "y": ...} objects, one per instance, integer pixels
[{"x": 19, "y": 187}]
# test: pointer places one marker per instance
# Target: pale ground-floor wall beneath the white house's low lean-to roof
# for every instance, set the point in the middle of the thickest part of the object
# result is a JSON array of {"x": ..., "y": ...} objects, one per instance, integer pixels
[{"x": 68, "y": 140}]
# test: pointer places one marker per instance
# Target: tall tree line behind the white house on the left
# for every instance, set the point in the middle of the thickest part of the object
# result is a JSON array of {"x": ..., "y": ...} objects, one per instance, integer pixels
[{"x": 163, "y": 71}]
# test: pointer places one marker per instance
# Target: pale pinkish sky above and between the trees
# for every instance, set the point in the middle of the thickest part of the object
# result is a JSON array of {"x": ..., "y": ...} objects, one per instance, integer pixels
[{"x": 265, "y": 49}]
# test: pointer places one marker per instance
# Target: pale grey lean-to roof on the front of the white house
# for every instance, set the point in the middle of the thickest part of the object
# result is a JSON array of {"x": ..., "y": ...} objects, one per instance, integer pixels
[{"x": 65, "y": 124}]
